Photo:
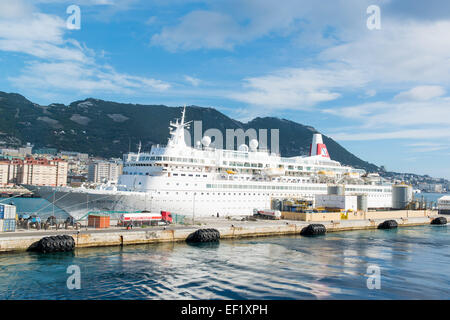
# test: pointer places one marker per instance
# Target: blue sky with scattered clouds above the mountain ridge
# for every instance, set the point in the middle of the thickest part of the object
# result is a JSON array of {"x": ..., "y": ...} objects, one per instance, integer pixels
[{"x": 383, "y": 94}]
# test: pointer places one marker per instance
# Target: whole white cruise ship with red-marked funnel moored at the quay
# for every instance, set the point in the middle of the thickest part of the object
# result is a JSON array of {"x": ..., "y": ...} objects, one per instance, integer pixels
[{"x": 204, "y": 181}]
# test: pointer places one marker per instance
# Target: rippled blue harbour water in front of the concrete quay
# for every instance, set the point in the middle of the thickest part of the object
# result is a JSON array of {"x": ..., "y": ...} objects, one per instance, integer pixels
[{"x": 414, "y": 265}]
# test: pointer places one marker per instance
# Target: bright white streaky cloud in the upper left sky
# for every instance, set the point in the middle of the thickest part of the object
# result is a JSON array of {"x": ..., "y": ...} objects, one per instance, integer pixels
[{"x": 60, "y": 63}]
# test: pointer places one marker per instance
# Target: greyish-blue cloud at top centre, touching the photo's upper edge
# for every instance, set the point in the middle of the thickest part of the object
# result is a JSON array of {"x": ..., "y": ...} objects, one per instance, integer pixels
[{"x": 225, "y": 24}]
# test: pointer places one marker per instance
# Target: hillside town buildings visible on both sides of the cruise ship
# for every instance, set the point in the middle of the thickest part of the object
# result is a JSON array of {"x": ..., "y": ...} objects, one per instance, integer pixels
[{"x": 27, "y": 165}]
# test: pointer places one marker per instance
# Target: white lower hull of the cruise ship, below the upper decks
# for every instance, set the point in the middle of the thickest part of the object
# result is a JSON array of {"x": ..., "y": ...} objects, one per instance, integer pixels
[{"x": 202, "y": 202}]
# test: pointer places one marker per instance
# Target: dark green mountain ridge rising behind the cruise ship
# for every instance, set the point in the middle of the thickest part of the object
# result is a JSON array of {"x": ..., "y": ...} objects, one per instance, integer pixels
[{"x": 109, "y": 129}]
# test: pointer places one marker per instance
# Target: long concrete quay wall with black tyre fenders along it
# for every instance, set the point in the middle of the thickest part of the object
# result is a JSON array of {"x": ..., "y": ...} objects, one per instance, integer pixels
[{"x": 228, "y": 228}]
